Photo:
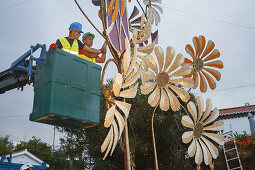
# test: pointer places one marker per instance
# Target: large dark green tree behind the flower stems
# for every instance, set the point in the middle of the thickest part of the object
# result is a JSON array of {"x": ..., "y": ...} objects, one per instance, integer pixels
[{"x": 85, "y": 144}]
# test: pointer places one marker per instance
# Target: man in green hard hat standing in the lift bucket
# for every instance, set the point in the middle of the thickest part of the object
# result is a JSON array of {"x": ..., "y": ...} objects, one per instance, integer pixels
[{"x": 87, "y": 39}]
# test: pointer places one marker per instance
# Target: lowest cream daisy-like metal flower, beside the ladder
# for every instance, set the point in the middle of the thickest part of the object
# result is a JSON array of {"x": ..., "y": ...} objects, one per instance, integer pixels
[{"x": 203, "y": 127}]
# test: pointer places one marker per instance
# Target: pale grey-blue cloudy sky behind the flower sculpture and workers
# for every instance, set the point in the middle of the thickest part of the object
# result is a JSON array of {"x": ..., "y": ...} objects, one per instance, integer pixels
[{"x": 230, "y": 24}]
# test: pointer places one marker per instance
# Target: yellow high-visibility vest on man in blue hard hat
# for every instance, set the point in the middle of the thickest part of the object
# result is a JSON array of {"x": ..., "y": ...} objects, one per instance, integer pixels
[{"x": 66, "y": 46}]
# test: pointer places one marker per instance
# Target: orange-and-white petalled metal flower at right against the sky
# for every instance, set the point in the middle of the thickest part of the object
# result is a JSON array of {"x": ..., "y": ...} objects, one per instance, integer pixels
[{"x": 203, "y": 59}]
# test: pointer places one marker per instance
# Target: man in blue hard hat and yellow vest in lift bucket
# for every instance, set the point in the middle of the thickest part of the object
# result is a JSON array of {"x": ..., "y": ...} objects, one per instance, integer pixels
[{"x": 71, "y": 43}]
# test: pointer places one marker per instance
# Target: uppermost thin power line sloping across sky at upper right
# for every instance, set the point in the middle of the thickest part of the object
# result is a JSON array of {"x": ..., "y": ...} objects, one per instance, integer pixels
[{"x": 198, "y": 15}]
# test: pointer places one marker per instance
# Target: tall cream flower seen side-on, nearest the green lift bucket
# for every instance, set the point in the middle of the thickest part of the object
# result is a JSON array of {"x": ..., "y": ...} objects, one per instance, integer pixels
[{"x": 124, "y": 86}]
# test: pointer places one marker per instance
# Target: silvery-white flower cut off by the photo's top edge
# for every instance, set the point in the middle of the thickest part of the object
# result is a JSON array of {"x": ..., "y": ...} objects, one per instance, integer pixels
[{"x": 155, "y": 8}]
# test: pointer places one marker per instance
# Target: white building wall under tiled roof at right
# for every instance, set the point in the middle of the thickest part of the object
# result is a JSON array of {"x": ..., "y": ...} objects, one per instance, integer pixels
[{"x": 238, "y": 124}]
